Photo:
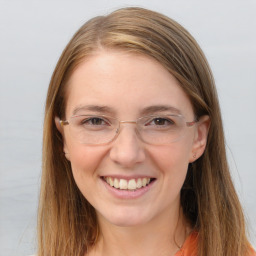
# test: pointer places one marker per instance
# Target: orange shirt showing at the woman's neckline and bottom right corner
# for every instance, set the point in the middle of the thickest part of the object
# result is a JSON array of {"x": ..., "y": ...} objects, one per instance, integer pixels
[{"x": 189, "y": 248}]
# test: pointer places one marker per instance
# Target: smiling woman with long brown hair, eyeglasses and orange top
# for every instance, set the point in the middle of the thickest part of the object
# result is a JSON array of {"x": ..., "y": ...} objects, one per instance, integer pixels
[{"x": 134, "y": 159}]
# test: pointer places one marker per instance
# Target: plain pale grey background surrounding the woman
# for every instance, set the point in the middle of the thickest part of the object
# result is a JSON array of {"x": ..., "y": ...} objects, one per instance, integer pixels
[{"x": 32, "y": 35}]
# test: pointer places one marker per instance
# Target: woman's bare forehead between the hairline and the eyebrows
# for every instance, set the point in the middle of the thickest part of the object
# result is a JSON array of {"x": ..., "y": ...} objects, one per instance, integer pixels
[{"x": 125, "y": 82}]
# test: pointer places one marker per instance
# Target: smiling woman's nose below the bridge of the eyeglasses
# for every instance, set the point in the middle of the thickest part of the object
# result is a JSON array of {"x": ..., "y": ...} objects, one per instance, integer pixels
[{"x": 127, "y": 150}]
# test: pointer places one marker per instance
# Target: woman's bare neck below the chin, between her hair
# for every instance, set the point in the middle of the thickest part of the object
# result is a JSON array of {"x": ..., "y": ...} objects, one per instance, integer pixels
[{"x": 162, "y": 236}]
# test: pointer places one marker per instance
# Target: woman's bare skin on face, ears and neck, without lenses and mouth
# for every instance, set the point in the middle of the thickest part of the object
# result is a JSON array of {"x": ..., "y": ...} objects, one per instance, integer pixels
[{"x": 152, "y": 224}]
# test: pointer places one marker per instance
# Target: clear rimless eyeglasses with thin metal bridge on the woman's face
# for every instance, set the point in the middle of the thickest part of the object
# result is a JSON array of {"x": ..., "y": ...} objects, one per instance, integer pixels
[{"x": 153, "y": 129}]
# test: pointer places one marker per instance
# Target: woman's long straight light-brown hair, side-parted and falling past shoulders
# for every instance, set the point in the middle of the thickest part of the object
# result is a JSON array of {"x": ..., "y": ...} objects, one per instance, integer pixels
[{"x": 67, "y": 223}]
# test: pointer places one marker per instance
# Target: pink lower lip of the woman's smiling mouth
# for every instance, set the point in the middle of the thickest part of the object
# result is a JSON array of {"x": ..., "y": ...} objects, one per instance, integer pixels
[{"x": 128, "y": 194}]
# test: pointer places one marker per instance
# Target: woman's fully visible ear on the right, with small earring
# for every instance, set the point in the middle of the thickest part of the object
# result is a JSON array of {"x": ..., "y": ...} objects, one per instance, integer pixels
[{"x": 200, "y": 139}]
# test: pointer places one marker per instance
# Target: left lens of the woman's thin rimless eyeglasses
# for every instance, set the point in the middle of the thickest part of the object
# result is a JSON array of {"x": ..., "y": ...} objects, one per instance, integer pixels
[{"x": 89, "y": 129}]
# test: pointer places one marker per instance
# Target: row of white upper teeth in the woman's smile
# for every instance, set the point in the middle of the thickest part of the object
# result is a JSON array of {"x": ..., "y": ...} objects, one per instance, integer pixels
[{"x": 131, "y": 184}]
